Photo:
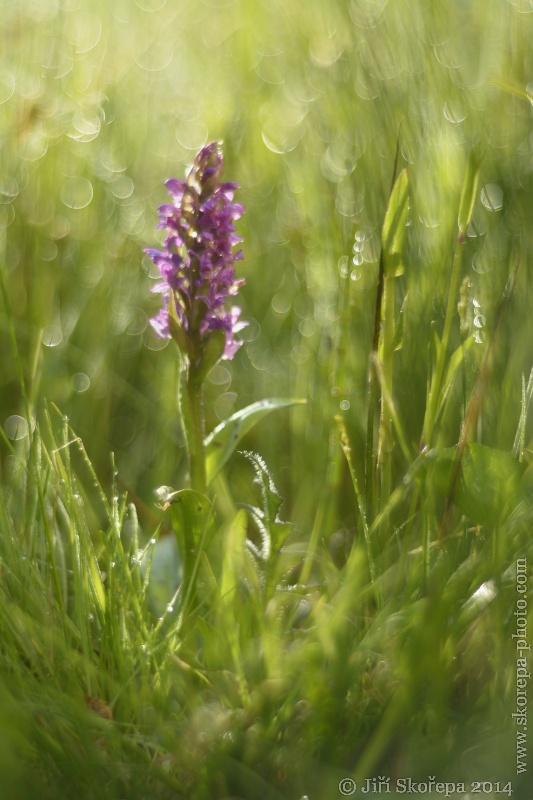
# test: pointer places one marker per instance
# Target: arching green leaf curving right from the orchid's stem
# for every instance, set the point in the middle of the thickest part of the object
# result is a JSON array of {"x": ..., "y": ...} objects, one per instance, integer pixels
[{"x": 222, "y": 442}]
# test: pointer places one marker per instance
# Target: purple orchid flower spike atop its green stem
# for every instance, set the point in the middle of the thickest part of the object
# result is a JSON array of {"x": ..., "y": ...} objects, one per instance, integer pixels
[{"x": 197, "y": 263}]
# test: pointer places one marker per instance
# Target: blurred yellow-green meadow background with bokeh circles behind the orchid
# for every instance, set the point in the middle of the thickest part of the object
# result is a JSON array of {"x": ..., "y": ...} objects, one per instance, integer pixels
[{"x": 100, "y": 102}]
